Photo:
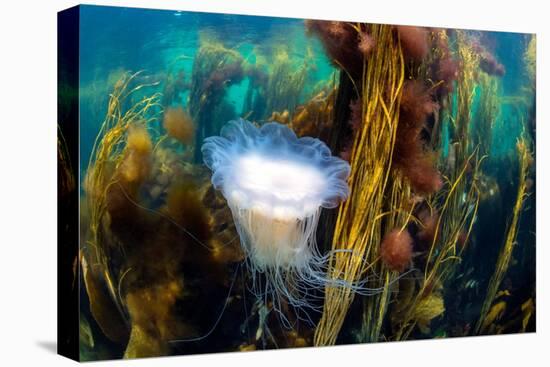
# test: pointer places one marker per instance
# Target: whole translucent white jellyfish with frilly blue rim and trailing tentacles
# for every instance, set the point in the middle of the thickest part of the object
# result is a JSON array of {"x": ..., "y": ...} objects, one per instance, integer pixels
[{"x": 276, "y": 185}]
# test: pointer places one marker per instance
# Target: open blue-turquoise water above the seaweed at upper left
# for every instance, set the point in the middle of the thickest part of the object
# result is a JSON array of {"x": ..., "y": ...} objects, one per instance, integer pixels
[{"x": 163, "y": 43}]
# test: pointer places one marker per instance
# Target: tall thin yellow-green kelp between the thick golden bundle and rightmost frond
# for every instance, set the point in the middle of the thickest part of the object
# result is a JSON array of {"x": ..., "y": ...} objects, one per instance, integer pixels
[{"x": 456, "y": 205}]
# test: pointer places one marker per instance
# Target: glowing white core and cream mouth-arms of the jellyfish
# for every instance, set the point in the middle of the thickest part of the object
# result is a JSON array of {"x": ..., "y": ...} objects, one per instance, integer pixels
[{"x": 277, "y": 202}]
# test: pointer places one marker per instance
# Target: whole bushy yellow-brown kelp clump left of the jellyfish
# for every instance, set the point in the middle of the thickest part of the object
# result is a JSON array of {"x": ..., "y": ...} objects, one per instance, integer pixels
[{"x": 141, "y": 201}]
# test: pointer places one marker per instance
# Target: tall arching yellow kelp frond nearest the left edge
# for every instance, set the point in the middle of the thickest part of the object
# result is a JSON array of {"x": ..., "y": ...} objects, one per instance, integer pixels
[{"x": 122, "y": 138}]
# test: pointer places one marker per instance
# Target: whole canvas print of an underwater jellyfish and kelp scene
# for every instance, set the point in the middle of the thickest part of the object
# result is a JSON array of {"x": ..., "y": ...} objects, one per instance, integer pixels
[{"x": 232, "y": 183}]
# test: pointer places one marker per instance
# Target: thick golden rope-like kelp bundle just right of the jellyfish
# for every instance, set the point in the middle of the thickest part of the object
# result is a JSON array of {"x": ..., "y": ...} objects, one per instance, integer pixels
[{"x": 358, "y": 225}]
